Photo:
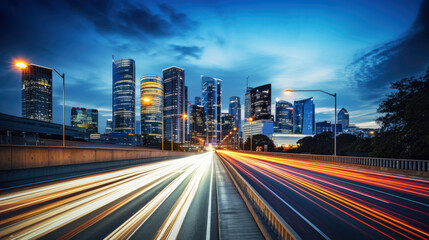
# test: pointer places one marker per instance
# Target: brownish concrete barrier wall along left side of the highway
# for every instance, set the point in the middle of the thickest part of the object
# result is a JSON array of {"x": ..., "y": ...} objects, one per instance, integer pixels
[{"x": 25, "y": 157}]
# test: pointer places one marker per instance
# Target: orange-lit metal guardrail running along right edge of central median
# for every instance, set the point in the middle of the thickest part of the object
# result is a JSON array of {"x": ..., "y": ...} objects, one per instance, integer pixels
[{"x": 275, "y": 221}]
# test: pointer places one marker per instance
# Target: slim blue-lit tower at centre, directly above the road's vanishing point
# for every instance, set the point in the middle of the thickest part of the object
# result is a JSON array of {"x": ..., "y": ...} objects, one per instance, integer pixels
[{"x": 212, "y": 102}]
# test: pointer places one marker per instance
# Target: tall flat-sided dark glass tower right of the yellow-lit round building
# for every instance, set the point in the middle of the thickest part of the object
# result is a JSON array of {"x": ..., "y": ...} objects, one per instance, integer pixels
[{"x": 174, "y": 104}]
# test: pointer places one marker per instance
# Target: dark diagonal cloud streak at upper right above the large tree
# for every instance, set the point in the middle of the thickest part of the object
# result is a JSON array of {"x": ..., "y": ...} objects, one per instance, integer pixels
[{"x": 393, "y": 60}]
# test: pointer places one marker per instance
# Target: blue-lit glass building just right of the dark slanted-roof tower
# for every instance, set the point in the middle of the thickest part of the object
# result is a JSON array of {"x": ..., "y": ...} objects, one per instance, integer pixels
[{"x": 284, "y": 117}]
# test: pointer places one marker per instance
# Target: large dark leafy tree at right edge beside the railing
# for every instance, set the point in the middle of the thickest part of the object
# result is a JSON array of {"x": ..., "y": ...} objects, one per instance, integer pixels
[{"x": 405, "y": 121}]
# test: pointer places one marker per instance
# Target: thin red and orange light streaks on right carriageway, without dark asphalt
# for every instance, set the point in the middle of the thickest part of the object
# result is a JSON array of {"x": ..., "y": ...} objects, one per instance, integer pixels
[{"x": 334, "y": 195}]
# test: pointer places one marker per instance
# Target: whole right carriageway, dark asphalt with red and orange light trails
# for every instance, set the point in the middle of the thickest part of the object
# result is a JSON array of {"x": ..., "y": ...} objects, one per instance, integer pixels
[{"x": 326, "y": 201}]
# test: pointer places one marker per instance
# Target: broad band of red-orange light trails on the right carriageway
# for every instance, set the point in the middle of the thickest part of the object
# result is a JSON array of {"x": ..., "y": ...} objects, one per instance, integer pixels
[{"x": 352, "y": 195}]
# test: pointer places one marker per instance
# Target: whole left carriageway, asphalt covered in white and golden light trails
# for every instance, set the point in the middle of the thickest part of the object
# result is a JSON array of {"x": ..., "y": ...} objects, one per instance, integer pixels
[{"x": 160, "y": 200}]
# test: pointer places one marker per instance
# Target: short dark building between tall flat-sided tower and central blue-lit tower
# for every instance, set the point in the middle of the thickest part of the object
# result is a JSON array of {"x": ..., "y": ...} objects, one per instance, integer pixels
[{"x": 197, "y": 122}]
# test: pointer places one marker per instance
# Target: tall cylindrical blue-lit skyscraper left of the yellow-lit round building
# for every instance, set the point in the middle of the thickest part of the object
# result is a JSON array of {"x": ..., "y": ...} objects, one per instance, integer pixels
[{"x": 123, "y": 96}]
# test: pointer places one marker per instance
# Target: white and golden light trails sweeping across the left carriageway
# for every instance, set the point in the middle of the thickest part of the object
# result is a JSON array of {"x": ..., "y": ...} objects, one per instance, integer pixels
[{"x": 83, "y": 195}]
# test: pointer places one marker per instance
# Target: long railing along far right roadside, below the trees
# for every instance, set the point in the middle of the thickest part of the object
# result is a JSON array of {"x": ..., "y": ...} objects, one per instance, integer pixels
[{"x": 393, "y": 163}]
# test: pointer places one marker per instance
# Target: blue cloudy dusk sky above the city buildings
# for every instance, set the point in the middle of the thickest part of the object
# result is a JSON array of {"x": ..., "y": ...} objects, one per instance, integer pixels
[{"x": 205, "y": 55}]
